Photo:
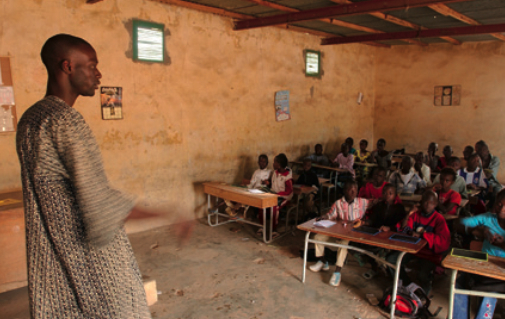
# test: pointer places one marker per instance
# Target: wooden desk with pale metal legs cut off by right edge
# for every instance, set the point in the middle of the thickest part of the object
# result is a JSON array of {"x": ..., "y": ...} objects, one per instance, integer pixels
[{"x": 494, "y": 268}]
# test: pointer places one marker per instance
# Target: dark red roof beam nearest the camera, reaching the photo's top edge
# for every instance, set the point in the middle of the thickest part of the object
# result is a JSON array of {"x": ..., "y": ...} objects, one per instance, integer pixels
[{"x": 337, "y": 11}]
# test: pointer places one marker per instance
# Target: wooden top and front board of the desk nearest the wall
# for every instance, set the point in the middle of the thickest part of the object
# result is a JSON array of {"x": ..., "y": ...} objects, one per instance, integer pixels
[{"x": 239, "y": 195}]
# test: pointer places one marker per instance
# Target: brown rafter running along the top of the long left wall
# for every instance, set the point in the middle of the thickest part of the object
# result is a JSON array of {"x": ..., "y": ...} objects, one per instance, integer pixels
[{"x": 234, "y": 15}]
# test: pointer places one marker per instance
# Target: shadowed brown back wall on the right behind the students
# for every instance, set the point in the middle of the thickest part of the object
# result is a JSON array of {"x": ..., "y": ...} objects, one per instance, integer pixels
[{"x": 404, "y": 112}]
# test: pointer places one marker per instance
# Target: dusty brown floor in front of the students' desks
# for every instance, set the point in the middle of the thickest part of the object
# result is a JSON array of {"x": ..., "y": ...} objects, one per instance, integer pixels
[{"x": 225, "y": 272}]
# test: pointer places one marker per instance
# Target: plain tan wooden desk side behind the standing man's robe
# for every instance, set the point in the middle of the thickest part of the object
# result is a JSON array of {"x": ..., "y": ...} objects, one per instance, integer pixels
[{"x": 13, "y": 272}]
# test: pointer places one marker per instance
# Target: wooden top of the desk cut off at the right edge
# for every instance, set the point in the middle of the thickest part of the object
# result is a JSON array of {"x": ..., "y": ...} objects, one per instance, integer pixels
[{"x": 494, "y": 267}]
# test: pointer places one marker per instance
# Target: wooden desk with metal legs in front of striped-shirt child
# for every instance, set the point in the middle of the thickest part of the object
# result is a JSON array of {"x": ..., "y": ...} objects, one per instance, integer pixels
[{"x": 345, "y": 231}]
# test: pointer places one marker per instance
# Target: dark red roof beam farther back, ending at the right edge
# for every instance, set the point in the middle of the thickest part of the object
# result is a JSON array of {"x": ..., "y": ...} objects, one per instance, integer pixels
[{"x": 431, "y": 33}]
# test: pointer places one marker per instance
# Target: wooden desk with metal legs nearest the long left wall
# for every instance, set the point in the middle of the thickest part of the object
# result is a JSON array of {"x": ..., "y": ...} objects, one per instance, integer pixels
[{"x": 242, "y": 196}]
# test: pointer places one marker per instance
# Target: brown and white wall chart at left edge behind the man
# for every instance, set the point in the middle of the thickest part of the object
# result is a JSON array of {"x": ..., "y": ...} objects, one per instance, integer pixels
[{"x": 8, "y": 119}]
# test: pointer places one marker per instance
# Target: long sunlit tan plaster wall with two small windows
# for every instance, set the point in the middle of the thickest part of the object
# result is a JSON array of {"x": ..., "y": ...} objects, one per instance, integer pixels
[{"x": 205, "y": 115}]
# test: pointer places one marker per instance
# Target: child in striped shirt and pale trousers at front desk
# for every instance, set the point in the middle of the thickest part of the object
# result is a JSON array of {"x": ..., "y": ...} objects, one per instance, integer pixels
[{"x": 348, "y": 208}]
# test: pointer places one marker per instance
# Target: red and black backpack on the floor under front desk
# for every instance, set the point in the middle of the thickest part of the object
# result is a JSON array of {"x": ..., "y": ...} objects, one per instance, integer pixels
[{"x": 411, "y": 302}]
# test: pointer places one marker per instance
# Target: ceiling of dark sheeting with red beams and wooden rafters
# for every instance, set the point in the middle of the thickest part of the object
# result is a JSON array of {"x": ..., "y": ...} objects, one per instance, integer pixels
[{"x": 374, "y": 22}]
